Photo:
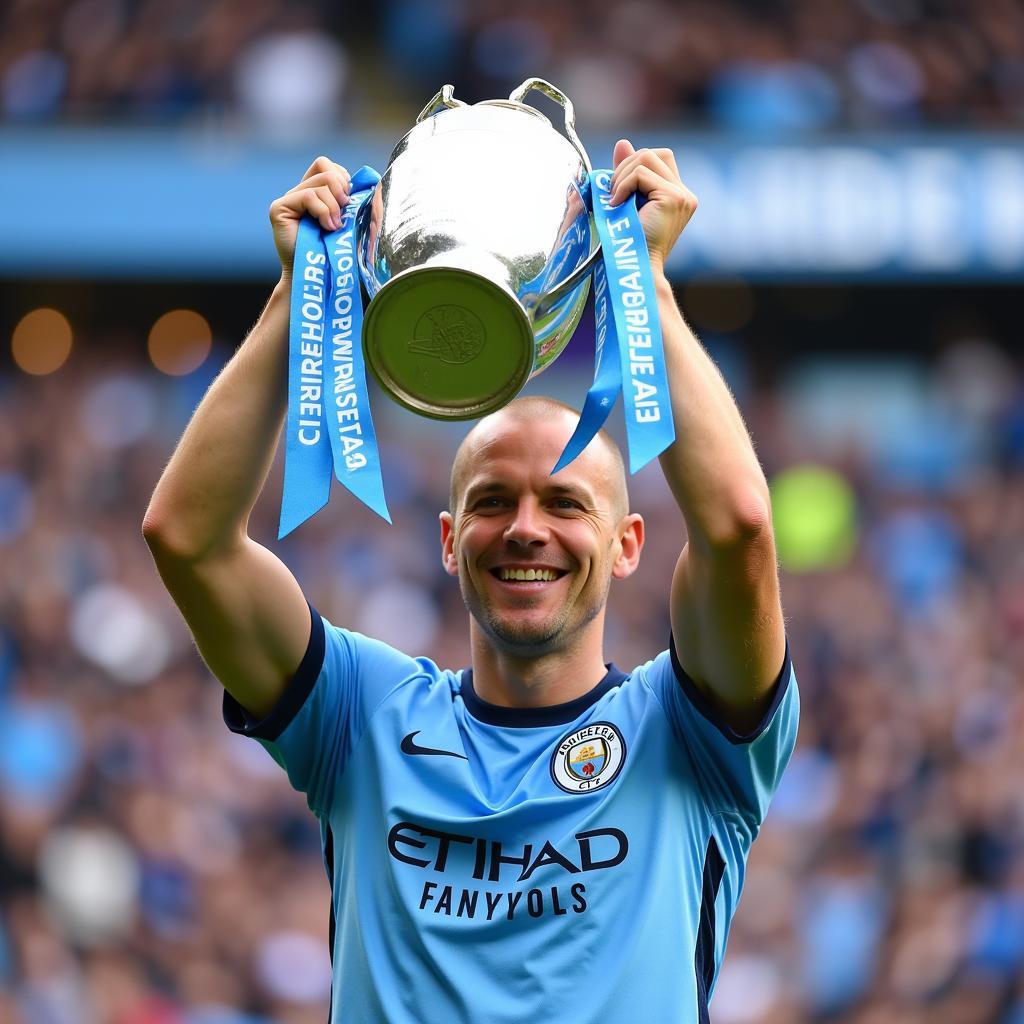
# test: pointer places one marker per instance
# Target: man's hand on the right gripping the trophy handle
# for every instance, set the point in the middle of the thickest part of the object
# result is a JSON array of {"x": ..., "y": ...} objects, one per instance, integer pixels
[{"x": 670, "y": 204}]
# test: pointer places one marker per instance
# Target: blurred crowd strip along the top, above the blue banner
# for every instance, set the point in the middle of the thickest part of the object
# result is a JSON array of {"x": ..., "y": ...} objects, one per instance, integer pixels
[{"x": 772, "y": 66}]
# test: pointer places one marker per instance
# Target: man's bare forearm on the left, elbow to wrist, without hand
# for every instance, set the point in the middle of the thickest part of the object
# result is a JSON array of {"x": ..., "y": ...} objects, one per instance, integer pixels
[{"x": 203, "y": 499}]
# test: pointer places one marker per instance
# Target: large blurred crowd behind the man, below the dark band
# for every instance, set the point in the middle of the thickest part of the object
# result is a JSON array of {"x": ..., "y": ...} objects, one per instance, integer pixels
[{"x": 157, "y": 870}]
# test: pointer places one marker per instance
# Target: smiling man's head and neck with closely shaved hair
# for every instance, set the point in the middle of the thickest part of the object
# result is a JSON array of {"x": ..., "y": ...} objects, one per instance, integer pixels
[{"x": 535, "y": 554}]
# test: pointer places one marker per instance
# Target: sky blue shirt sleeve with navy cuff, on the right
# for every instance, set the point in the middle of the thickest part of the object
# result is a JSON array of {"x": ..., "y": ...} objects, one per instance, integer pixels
[{"x": 738, "y": 774}]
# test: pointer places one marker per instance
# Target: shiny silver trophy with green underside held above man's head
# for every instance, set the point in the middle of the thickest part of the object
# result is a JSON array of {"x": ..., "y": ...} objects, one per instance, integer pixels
[{"x": 477, "y": 249}]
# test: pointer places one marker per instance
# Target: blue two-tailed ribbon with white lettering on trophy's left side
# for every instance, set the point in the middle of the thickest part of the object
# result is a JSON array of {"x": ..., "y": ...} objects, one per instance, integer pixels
[{"x": 329, "y": 420}]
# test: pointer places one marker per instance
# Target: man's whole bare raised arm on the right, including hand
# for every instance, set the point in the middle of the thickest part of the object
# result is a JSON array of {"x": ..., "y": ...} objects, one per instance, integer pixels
[{"x": 726, "y": 609}]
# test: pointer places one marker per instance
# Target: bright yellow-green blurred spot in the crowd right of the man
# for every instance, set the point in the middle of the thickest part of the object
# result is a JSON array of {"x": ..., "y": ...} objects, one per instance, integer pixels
[{"x": 816, "y": 519}]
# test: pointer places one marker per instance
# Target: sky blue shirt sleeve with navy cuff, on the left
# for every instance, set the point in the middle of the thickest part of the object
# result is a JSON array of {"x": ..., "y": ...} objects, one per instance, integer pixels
[{"x": 321, "y": 716}]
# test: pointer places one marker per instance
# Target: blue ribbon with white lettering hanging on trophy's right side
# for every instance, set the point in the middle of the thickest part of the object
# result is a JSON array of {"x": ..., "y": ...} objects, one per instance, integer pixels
[{"x": 625, "y": 282}]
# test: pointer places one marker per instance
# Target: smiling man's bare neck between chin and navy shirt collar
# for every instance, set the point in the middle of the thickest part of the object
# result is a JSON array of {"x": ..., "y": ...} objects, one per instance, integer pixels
[{"x": 510, "y": 680}]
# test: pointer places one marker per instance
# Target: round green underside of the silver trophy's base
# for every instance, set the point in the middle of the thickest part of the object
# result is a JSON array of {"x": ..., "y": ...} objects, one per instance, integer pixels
[{"x": 448, "y": 344}]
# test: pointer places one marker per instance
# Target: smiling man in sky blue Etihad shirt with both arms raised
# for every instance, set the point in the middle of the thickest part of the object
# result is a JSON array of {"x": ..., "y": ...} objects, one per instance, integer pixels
[{"x": 540, "y": 837}]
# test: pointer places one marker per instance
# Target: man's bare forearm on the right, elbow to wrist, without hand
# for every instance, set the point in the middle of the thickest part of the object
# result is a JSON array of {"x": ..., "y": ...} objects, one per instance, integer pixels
[{"x": 712, "y": 467}]
